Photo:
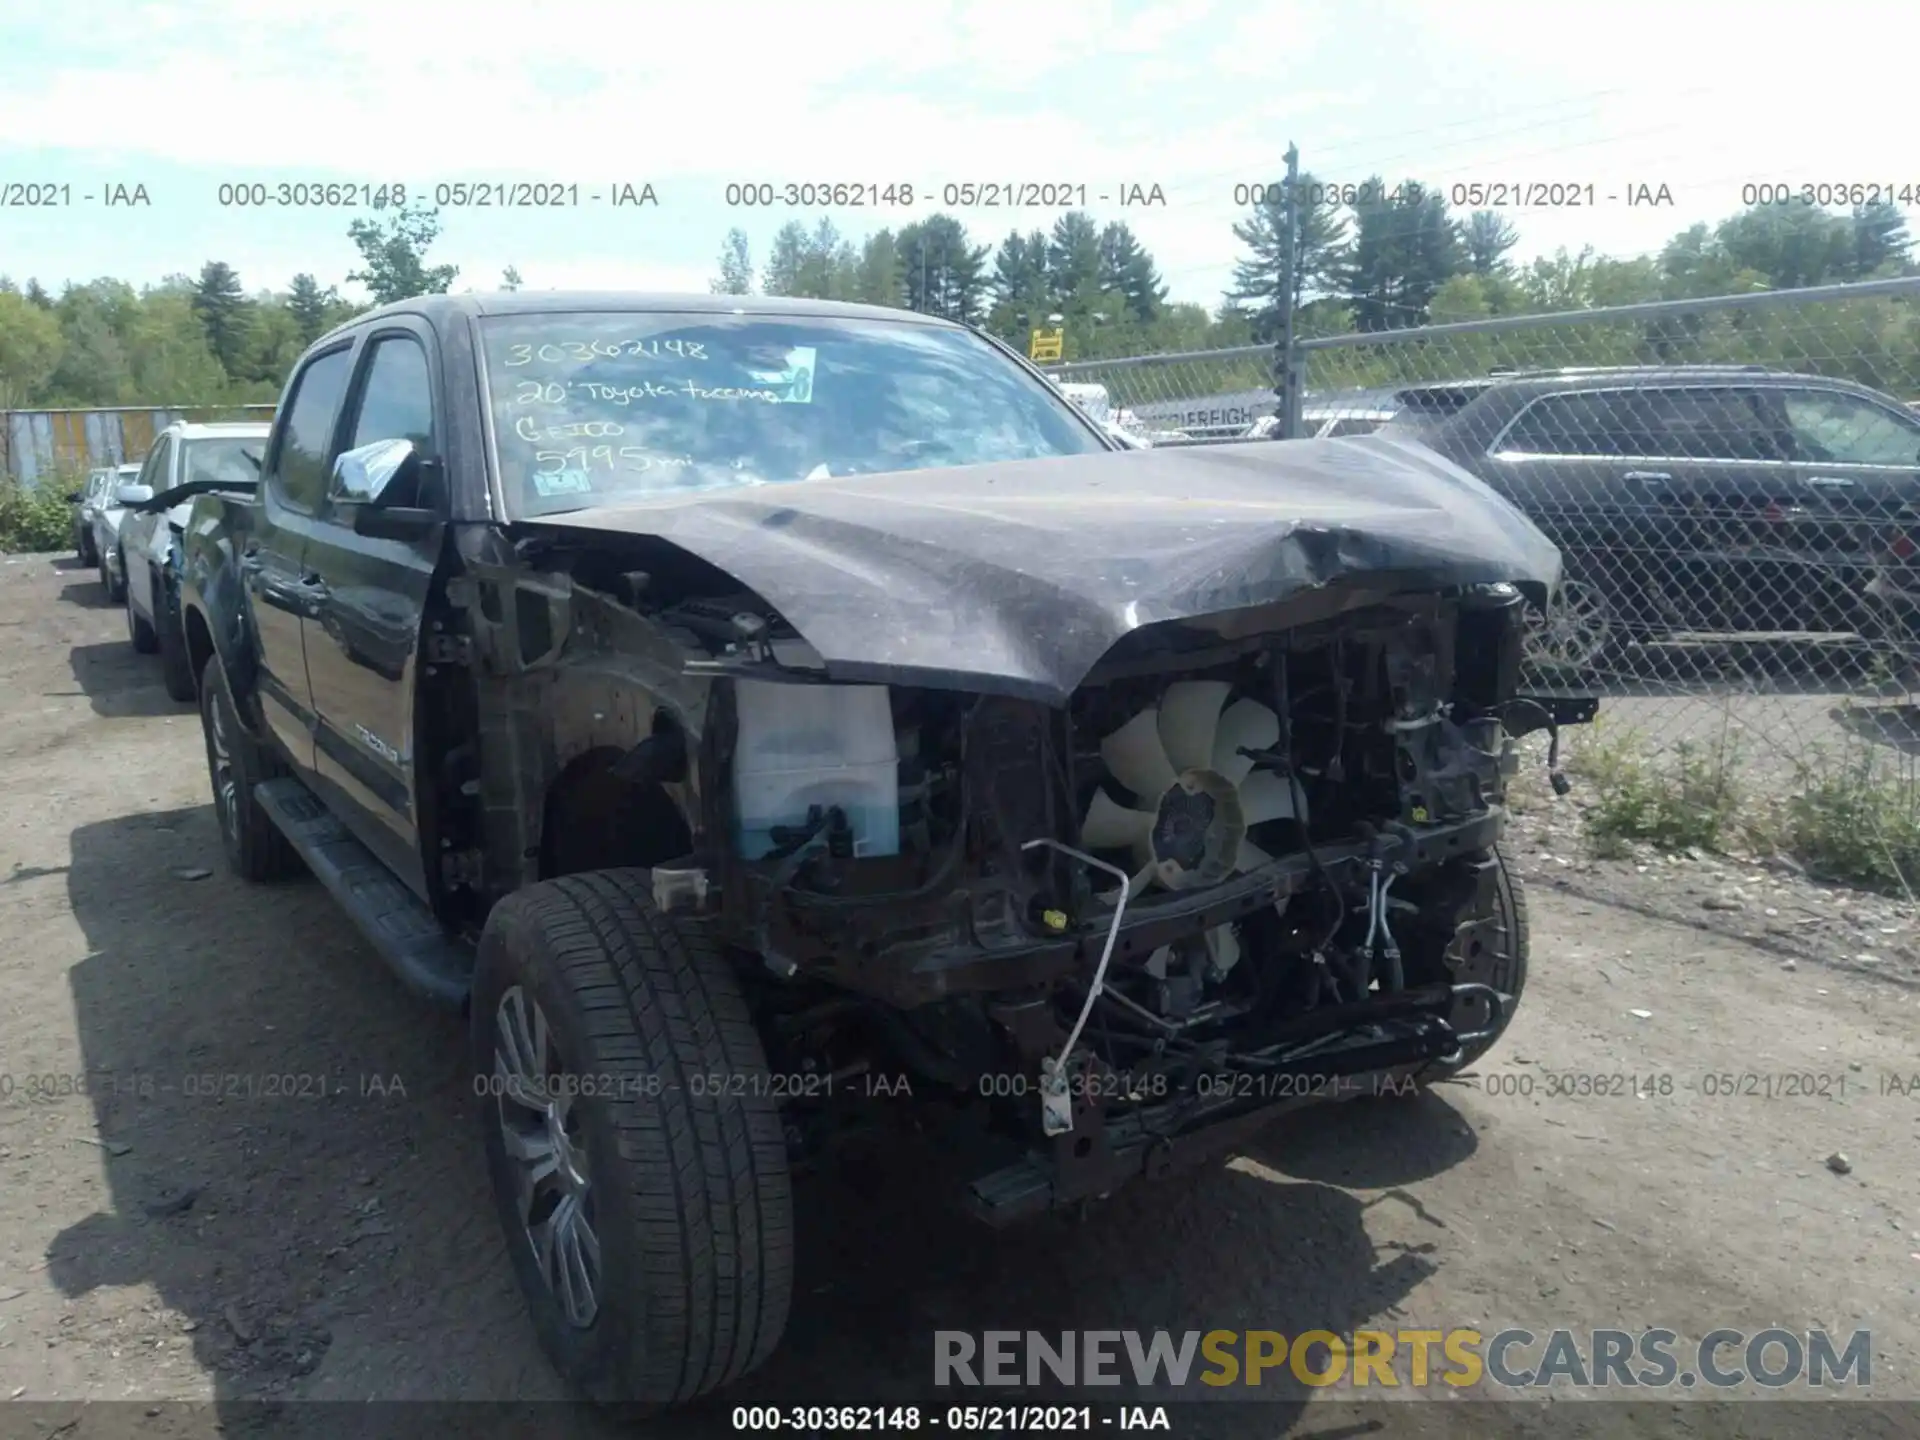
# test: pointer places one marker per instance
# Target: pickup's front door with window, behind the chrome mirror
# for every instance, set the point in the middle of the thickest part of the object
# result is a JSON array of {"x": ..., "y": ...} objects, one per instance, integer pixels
[{"x": 364, "y": 635}]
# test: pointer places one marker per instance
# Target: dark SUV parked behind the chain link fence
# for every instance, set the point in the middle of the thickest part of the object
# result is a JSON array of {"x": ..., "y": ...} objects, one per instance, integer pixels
[{"x": 1702, "y": 500}]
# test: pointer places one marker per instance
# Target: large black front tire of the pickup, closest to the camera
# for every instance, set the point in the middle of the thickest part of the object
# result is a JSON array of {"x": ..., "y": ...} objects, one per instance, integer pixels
[{"x": 686, "y": 1189}]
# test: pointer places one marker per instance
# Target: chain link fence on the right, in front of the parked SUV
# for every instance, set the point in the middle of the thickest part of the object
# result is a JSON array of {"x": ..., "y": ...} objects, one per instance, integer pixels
[{"x": 1735, "y": 485}]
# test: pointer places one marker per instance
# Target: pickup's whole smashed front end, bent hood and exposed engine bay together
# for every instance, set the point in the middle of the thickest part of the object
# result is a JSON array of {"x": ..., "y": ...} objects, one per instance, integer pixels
[{"x": 1113, "y": 804}]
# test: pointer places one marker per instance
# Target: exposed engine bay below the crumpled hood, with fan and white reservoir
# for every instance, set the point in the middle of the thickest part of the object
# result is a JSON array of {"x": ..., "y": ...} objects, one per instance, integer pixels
[{"x": 1228, "y": 863}]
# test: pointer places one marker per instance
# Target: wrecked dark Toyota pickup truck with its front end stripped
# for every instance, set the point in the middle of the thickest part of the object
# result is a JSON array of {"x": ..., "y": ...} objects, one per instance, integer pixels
[{"x": 725, "y": 700}]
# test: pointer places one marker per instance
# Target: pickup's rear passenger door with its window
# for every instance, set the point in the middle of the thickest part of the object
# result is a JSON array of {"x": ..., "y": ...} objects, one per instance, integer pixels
[{"x": 274, "y": 556}]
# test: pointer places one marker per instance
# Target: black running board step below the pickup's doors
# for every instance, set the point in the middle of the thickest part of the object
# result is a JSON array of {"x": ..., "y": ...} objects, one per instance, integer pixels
[{"x": 402, "y": 930}]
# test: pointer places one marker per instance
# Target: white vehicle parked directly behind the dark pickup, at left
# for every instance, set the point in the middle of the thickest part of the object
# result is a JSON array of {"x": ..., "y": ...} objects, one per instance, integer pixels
[{"x": 185, "y": 460}]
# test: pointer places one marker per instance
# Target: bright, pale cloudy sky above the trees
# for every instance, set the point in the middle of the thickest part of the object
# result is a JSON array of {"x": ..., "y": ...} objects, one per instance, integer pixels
[{"x": 1193, "y": 97}]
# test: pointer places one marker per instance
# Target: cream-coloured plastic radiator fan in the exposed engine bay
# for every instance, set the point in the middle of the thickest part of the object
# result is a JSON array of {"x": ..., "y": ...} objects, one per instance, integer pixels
[{"x": 1195, "y": 794}]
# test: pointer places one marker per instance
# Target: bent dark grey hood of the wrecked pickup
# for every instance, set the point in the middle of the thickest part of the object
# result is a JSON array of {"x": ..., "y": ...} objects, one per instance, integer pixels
[{"x": 1017, "y": 579}]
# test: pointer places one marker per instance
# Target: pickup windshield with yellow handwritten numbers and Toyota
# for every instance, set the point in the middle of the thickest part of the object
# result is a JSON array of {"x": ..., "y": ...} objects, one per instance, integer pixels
[{"x": 592, "y": 410}]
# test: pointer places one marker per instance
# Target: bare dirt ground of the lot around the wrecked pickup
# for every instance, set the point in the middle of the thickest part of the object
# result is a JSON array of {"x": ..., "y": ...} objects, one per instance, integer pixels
[{"x": 170, "y": 1234}]
